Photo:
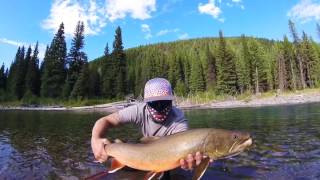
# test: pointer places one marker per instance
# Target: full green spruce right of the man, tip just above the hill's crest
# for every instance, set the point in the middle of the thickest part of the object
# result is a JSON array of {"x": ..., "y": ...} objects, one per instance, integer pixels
[{"x": 227, "y": 77}]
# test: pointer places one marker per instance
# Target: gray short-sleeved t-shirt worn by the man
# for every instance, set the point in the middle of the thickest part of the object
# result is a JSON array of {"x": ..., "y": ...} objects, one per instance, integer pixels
[{"x": 138, "y": 114}]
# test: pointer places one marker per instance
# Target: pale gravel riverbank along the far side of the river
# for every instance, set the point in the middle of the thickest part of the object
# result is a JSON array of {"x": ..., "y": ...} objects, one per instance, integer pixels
[{"x": 267, "y": 99}]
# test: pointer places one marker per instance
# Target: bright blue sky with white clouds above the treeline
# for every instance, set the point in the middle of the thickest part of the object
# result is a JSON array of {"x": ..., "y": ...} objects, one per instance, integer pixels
[{"x": 148, "y": 21}]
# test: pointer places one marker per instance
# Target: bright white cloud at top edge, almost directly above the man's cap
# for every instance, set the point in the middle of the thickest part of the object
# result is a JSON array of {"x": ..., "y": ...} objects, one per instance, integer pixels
[{"x": 137, "y": 9}]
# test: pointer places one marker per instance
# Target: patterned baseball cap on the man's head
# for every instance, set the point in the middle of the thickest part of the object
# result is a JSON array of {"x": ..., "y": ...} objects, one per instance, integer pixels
[{"x": 158, "y": 89}]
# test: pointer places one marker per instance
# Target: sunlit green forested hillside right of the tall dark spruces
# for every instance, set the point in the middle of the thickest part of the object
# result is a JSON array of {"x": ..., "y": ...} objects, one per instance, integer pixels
[{"x": 223, "y": 65}]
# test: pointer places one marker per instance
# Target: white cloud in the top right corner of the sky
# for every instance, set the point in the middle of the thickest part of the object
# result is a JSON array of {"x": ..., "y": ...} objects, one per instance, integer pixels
[{"x": 305, "y": 10}]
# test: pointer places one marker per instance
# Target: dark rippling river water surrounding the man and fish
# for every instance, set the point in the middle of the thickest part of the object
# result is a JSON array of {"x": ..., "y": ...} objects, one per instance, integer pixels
[{"x": 56, "y": 145}]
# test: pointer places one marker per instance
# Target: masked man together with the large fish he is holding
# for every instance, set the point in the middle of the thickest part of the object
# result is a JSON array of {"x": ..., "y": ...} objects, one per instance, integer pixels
[{"x": 168, "y": 143}]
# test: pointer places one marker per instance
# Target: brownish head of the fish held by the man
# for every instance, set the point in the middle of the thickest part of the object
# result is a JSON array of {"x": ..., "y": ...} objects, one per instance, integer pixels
[{"x": 223, "y": 143}]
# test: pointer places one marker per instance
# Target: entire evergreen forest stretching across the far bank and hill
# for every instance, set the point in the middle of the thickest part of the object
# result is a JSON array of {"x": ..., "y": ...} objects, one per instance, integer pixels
[{"x": 219, "y": 66}]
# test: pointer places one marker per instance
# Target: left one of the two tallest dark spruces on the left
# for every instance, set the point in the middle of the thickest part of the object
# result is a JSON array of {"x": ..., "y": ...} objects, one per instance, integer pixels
[{"x": 54, "y": 66}]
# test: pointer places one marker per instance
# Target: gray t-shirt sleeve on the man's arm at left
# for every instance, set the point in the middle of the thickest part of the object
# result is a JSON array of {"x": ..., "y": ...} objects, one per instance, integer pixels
[{"x": 129, "y": 115}]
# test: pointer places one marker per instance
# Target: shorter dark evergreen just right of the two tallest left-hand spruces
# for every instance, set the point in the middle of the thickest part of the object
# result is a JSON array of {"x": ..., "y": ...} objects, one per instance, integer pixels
[{"x": 81, "y": 87}]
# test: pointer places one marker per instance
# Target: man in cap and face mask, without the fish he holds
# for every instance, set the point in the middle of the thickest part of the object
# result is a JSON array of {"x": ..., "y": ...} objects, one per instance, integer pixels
[{"x": 156, "y": 117}]
